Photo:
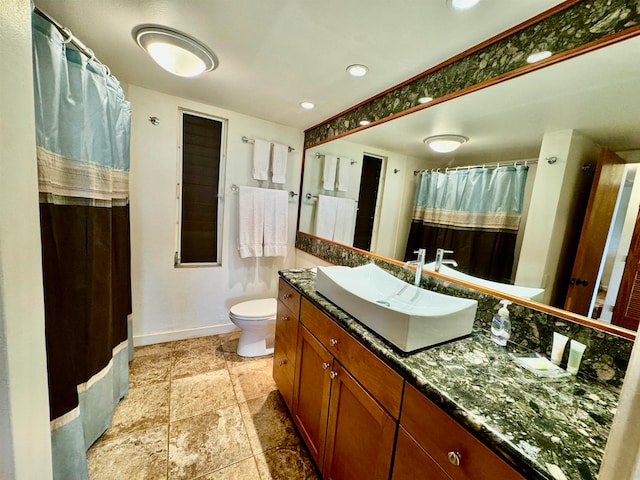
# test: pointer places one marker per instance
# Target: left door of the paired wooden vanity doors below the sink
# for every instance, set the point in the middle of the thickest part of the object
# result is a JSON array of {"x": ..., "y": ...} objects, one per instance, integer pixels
[{"x": 312, "y": 387}]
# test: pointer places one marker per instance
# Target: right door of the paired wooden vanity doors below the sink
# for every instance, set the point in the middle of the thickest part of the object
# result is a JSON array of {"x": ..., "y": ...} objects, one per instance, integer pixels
[{"x": 360, "y": 433}]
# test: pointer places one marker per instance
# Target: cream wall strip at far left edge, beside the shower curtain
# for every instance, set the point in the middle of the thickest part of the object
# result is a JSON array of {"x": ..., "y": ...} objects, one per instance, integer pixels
[{"x": 25, "y": 439}]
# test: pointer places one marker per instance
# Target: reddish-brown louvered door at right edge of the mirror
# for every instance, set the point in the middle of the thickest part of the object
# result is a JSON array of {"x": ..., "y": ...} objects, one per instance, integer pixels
[{"x": 626, "y": 312}]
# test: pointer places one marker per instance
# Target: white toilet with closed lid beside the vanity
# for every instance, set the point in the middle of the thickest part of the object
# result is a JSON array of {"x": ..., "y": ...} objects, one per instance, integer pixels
[{"x": 257, "y": 320}]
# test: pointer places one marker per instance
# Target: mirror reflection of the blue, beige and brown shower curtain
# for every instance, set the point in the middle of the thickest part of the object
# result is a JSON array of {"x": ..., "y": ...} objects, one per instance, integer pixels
[{"x": 475, "y": 212}]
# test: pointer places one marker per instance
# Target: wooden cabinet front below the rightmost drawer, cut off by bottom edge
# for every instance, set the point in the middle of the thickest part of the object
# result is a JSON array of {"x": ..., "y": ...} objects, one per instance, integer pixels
[{"x": 412, "y": 462}]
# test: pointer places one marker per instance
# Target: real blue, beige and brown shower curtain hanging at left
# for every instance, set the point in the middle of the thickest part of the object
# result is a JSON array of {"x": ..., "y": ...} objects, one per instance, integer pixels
[{"x": 82, "y": 135}]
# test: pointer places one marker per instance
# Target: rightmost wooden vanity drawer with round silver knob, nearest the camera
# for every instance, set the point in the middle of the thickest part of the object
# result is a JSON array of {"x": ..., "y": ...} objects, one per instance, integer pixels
[{"x": 440, "y": 435}]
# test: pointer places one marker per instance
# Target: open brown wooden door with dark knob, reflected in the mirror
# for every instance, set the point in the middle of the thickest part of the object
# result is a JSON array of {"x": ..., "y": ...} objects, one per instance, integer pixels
[{"x": 595, "y": 229}]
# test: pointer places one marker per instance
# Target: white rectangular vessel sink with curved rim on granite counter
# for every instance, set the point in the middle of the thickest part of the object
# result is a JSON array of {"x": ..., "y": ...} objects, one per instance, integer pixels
[{"x": 407, "y": 316}]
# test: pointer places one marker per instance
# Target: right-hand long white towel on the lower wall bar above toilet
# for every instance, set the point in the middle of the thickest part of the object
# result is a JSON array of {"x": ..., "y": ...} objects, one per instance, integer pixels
[{"x": 276, "y": 223}]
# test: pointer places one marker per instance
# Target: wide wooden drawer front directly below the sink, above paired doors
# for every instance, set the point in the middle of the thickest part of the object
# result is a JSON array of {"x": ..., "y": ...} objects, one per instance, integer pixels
[{"x": 378, "y": 378}]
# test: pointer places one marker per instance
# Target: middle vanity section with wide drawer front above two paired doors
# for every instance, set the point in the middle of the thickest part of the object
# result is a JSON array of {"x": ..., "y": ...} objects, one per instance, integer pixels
[{"x": 349, "y": 433}]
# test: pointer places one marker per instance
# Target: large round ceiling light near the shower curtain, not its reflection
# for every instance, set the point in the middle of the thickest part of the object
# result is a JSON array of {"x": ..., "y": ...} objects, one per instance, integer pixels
[{"x": 176, "y": 52}]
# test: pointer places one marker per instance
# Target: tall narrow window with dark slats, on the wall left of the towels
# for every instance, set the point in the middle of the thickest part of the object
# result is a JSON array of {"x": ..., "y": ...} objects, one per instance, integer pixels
[{"x": 200, "y": 209}]
